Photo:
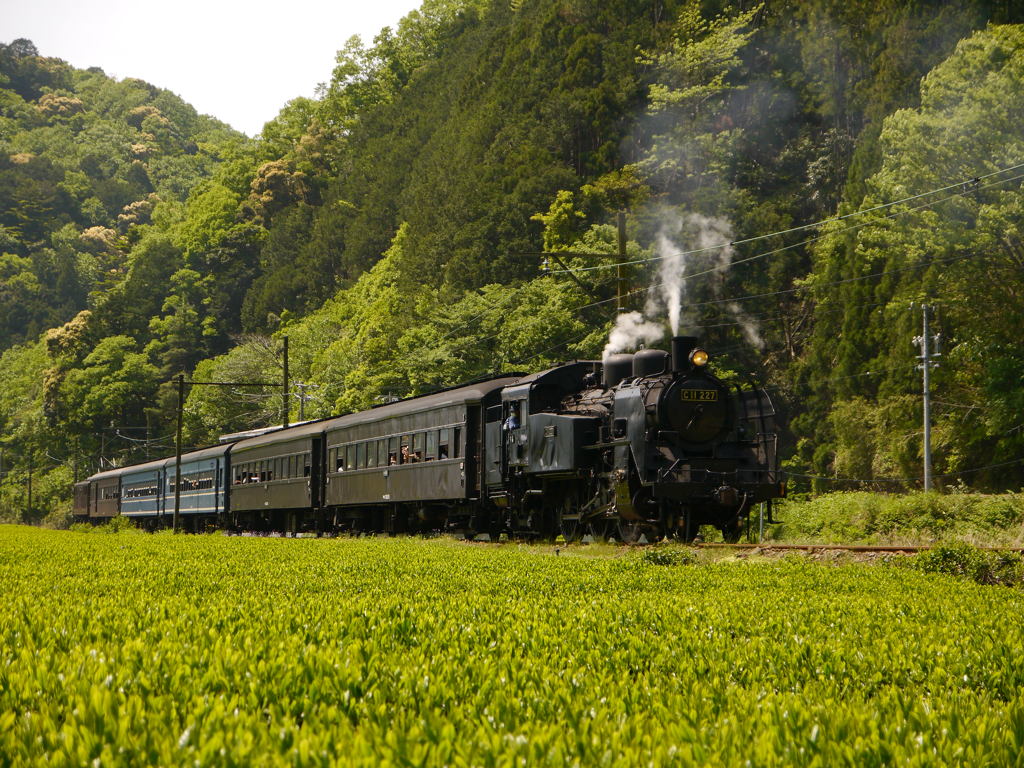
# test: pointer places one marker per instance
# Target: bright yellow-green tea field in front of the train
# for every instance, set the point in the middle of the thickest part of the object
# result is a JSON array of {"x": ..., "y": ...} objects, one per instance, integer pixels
[{"x": 136, "y": 650}]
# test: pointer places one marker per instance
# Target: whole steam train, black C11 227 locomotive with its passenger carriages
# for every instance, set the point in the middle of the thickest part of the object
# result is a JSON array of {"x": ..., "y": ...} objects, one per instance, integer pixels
[{"x": 650, "y": 445}]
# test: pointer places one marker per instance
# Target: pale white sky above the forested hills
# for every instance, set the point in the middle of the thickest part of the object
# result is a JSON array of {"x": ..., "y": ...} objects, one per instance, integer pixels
[{"x": 239, "y": 62}]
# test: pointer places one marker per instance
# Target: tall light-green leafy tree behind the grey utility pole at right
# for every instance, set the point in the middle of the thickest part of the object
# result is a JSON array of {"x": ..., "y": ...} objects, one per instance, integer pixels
[{"x": 960, "y": 250}]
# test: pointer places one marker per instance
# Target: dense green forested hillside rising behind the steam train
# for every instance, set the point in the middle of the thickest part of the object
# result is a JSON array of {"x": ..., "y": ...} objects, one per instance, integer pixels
[{"x": 798, "y": 181}]
